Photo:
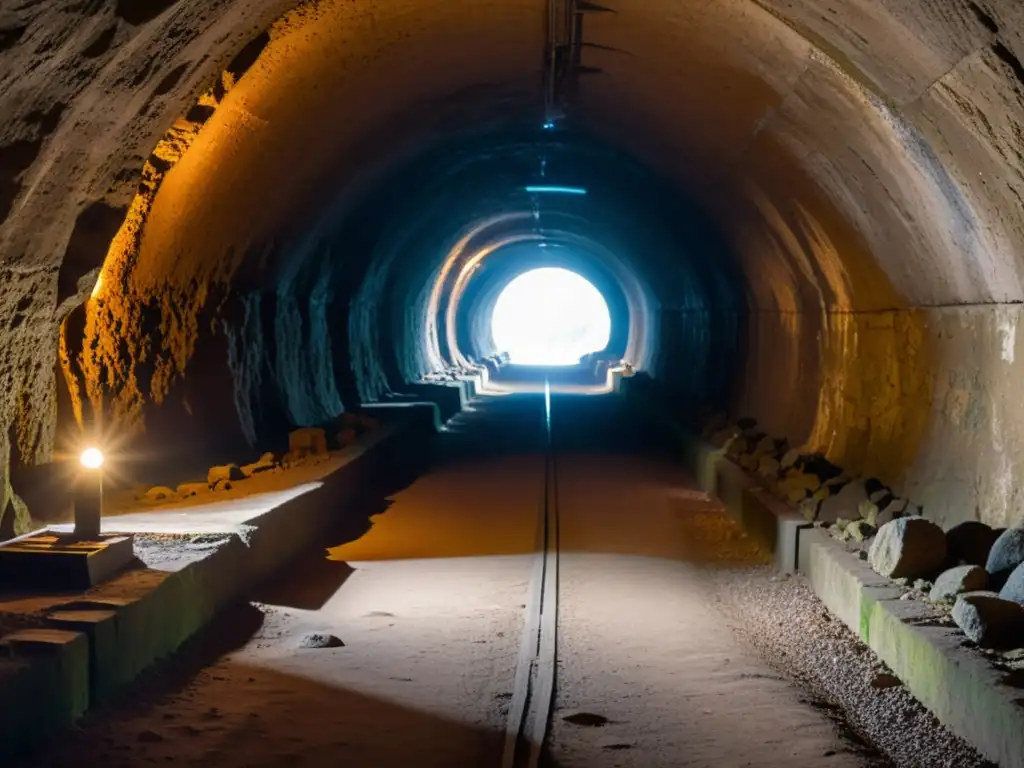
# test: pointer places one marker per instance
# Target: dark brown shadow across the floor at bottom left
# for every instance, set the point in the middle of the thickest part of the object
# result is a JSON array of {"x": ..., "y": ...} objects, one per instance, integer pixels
[{"x": 205, "y": 708}]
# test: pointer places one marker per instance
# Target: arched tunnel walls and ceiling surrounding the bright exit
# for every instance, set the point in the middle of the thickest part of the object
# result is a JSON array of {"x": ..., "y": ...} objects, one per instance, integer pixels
[{"x": 224, "y": 222}]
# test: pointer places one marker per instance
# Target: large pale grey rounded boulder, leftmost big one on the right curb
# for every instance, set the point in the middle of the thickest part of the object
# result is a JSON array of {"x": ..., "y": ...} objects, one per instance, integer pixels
[{"x": 910, "y": 547}]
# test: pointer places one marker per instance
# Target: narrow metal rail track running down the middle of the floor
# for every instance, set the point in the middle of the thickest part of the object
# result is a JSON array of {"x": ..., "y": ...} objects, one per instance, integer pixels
[{"x": 530, "y": 712}]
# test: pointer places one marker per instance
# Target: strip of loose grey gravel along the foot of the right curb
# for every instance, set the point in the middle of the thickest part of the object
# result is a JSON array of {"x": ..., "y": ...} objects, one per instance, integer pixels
[{"x": 783, "y": 619}]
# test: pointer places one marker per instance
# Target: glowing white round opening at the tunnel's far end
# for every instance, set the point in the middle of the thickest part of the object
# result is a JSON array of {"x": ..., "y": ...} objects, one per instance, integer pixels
[{"x": 550, "y": 317}]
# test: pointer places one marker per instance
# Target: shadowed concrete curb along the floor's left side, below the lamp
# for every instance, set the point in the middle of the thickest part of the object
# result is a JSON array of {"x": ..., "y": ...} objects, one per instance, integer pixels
[{"x": 50, "y": 677}]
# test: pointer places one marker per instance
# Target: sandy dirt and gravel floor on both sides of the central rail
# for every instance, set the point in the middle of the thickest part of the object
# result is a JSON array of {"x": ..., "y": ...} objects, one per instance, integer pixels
[{"x": 677, "y": 646}]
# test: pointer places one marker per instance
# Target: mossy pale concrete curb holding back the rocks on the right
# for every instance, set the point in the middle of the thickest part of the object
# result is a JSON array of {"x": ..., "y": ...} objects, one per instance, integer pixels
[{"x": 965, "y": 692}]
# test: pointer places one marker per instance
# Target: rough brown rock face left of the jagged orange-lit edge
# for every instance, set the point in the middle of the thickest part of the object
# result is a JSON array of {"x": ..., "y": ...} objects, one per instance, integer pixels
[{"x": 87, "y": 91}]
